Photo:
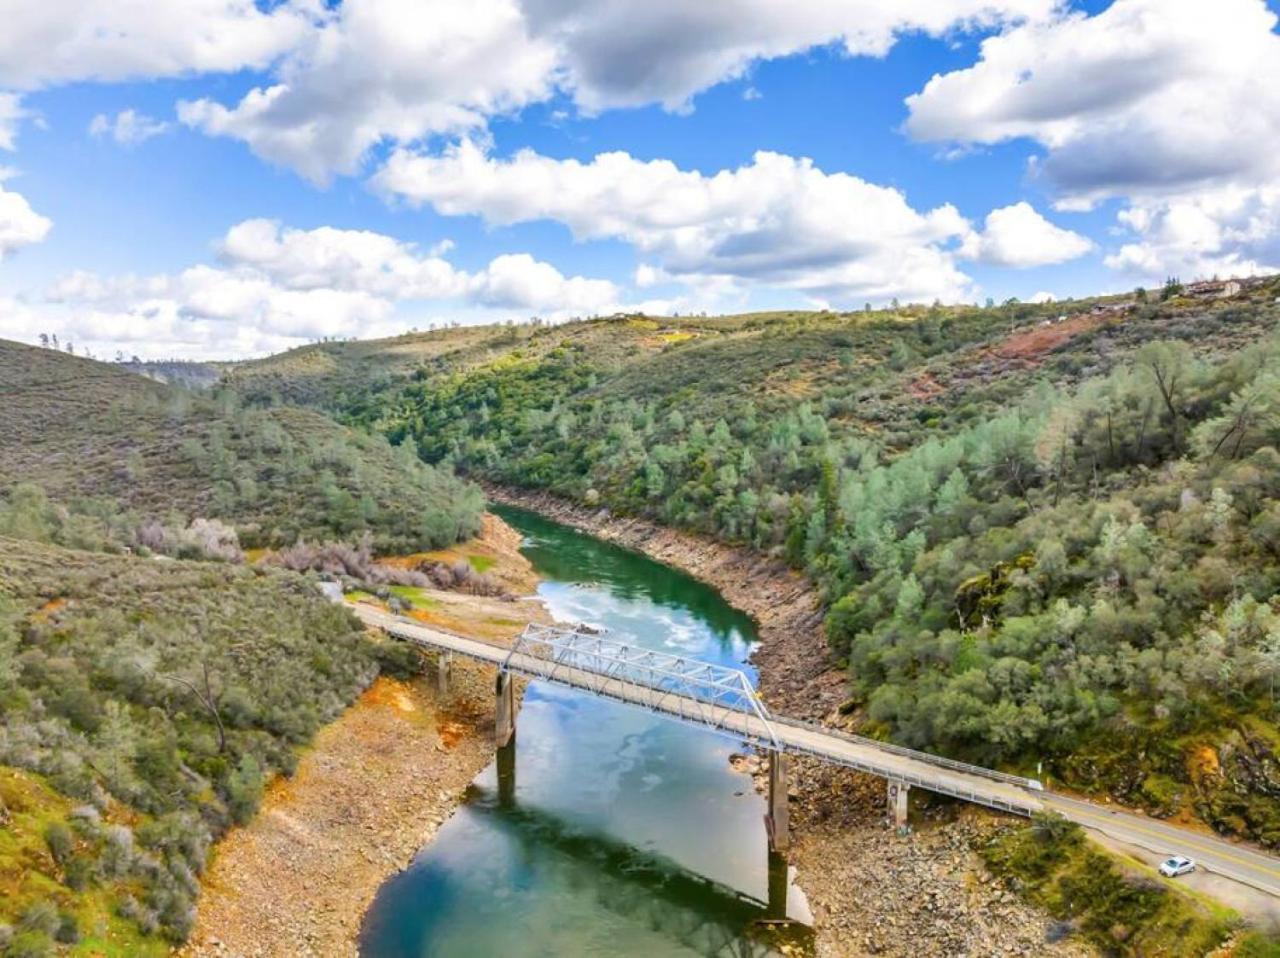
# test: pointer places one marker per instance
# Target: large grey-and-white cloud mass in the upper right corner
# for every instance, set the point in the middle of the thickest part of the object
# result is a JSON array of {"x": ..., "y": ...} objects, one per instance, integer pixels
[{"x": 1173, "y": 106}]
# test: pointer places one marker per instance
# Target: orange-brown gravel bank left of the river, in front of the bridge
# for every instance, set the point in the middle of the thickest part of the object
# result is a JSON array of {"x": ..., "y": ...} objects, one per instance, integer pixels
[{"x": 373, "y": 790}]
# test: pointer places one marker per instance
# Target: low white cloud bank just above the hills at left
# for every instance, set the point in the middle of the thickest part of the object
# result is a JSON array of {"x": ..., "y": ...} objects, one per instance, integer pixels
[{"x": 278, "y": 288}]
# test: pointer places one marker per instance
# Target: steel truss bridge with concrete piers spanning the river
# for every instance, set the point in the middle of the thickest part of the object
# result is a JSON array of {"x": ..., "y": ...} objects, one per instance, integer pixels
[{"x": 716, "y": 699}]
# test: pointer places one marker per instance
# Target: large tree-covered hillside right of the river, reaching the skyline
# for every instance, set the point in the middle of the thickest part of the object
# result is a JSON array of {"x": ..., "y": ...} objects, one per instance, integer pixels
[{"x": 1044, "y": 532}]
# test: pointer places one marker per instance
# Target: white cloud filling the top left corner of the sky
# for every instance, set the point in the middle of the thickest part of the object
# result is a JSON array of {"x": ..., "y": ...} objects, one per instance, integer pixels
[{"x": 61, "y": 42}]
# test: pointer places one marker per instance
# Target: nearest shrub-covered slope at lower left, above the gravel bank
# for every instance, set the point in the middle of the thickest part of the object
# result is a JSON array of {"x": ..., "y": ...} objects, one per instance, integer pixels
[{"x": 144, "y": 706}]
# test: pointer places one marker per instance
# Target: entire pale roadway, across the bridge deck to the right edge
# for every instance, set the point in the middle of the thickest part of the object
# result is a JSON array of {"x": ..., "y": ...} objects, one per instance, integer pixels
[{"x": 1229, "y": 860}]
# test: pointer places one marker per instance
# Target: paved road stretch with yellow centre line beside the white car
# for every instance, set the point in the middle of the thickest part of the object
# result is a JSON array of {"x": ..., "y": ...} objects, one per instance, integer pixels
[{"x": 1233, "y": 861}]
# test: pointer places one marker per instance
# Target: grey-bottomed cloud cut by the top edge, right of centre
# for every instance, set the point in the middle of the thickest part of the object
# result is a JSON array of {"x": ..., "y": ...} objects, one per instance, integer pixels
[{"x": 620, "y": 53}]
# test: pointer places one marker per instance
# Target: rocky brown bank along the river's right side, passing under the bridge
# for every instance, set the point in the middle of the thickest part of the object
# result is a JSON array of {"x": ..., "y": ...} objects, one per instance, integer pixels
[{"x": 871, "y": 892}]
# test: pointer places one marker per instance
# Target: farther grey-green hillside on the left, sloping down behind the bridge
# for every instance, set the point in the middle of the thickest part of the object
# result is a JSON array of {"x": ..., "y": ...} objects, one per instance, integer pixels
[{"x": 131, "y": 460}]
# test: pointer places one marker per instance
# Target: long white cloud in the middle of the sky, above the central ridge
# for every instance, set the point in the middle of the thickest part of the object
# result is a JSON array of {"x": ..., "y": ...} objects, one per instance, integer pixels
[{"x": 779, "y": 221}]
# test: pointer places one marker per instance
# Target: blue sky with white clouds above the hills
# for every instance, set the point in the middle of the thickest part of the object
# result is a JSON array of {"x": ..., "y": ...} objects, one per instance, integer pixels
[{"x": 227, "y": 179}]
